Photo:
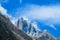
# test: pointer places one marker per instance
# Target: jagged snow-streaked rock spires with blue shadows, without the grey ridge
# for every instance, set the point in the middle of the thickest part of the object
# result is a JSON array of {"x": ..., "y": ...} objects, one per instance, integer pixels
[{"x": 27, "y": 27}]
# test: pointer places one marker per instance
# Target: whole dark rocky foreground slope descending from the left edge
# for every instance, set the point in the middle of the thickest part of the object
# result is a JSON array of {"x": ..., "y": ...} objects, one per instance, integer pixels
[{"x": 9, "y": 32}]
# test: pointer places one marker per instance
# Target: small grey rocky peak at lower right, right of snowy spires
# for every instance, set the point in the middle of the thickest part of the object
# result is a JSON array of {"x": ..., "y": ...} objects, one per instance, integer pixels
[{"x": 46, "y": 36}]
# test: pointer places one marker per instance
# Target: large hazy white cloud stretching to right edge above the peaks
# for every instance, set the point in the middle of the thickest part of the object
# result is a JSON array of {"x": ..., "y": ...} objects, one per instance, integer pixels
[{"x": 41, "y": 12}]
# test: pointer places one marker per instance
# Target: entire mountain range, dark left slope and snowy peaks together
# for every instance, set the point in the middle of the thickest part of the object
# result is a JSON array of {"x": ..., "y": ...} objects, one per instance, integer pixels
[{"x": 22, "y": 29}]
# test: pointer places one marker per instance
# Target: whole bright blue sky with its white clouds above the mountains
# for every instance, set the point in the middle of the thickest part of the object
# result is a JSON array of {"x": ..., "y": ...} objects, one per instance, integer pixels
[{"x": 47, "y": 12}]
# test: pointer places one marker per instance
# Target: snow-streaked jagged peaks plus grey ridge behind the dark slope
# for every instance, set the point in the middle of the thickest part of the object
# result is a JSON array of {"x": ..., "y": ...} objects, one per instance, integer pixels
[{"x": 32, "y": 30}]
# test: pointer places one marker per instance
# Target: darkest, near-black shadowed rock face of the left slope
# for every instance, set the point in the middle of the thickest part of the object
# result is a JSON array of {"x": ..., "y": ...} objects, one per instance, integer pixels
[{"x": 5, "y": 32}]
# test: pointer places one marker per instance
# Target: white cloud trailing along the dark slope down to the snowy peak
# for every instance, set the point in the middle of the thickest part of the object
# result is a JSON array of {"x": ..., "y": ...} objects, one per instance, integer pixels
[{"x": 4, "y": 12}]
